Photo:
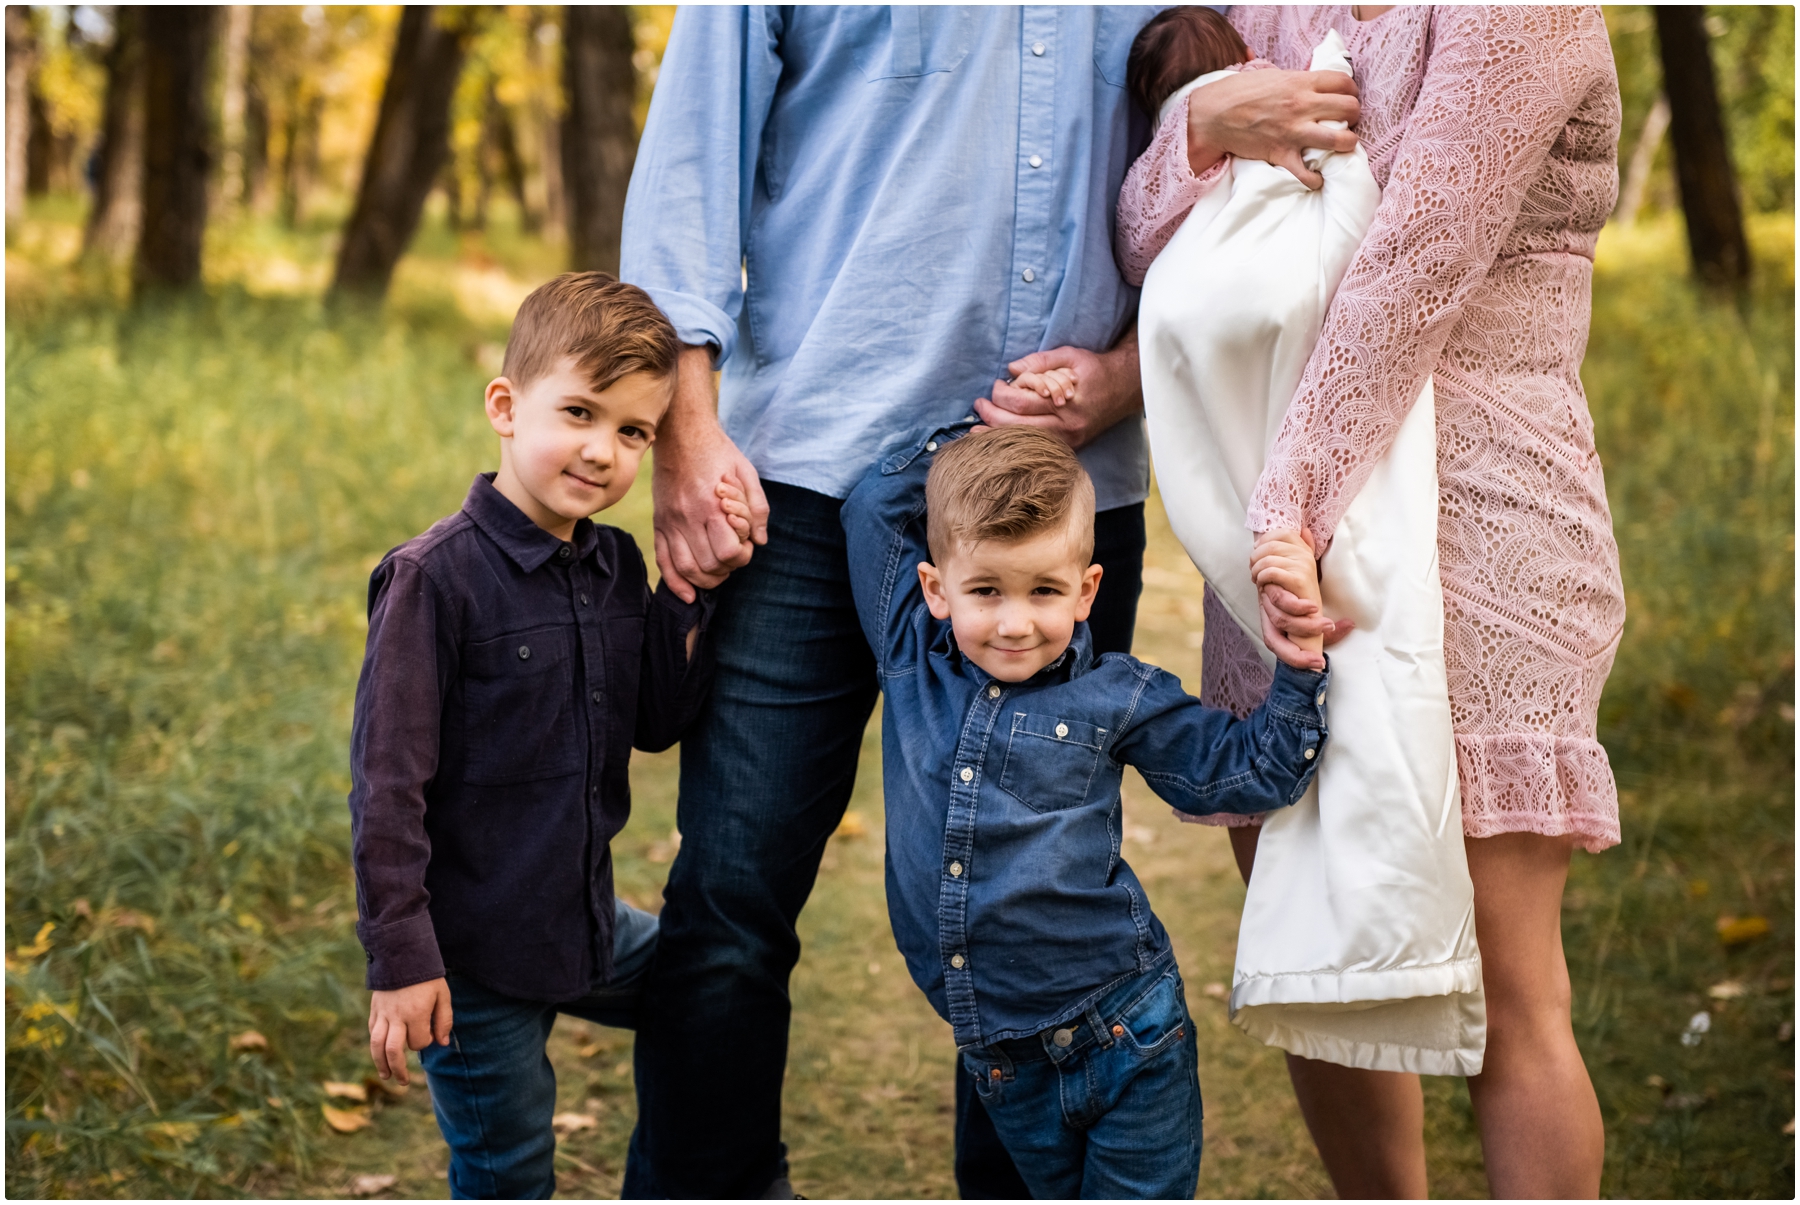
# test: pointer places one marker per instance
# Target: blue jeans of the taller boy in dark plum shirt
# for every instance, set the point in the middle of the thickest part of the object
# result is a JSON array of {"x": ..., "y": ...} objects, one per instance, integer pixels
[{"x": 494, "y": 1089}]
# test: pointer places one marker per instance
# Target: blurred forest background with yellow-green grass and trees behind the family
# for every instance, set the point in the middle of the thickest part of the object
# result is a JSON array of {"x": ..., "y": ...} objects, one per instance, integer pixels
[{"x": 260, "y": 264}]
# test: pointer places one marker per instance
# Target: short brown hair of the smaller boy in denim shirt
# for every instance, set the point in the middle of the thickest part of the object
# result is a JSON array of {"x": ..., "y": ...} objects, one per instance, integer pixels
[{"x": 1007, "y": 484}]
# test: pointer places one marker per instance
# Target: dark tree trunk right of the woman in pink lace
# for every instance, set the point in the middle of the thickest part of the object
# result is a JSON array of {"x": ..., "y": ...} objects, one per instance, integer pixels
[{"x": 1704, "y": 161}]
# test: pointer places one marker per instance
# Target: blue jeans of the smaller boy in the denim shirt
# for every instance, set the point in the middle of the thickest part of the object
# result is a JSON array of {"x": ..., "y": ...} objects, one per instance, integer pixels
[{"x": 1106, "y": 1107}]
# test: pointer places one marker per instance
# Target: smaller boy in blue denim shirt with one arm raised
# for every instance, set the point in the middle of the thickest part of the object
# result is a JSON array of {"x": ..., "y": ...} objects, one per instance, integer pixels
[{"x": 1003, "y": 743}]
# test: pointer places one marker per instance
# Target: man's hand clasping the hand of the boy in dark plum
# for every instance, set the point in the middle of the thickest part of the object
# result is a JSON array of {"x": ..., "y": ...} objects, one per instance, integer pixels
[{"x": 697, "y": 543}]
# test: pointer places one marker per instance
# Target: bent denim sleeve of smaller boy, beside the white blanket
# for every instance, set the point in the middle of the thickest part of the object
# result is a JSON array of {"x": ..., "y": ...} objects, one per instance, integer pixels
[{"x": 1205, "y": 761}]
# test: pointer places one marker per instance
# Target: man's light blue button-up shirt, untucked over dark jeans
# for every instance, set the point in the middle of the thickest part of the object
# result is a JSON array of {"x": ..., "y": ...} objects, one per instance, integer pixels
[{"x": 870, "y": 212}]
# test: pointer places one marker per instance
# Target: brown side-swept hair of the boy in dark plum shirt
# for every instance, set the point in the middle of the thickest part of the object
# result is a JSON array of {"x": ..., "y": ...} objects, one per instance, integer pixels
[{"x": 609, "y": 327}]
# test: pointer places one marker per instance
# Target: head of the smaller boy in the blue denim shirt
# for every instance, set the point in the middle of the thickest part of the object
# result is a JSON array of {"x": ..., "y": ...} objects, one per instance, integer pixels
[{"x": 1011, "y": 521}]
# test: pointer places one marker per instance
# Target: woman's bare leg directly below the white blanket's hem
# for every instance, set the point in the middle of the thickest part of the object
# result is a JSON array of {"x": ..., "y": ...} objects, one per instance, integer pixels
[{"x": 1369, "y": 1127}]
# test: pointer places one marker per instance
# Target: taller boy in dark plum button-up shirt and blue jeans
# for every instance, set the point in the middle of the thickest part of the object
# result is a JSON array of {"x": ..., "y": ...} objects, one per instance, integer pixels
[{"x": 516, "y": 657}]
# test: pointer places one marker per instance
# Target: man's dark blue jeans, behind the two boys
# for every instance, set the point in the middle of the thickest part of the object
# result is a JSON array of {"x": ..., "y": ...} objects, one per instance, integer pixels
[{"x": 766, "y": 777}]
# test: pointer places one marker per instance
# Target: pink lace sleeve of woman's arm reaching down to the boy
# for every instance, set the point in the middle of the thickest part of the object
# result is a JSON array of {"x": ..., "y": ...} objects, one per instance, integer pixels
[{"x": 1500, "y": 87}]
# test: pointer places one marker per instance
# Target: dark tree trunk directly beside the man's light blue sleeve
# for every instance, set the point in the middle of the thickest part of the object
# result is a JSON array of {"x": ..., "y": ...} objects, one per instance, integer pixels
[{"x": 600, "y": 141}]
